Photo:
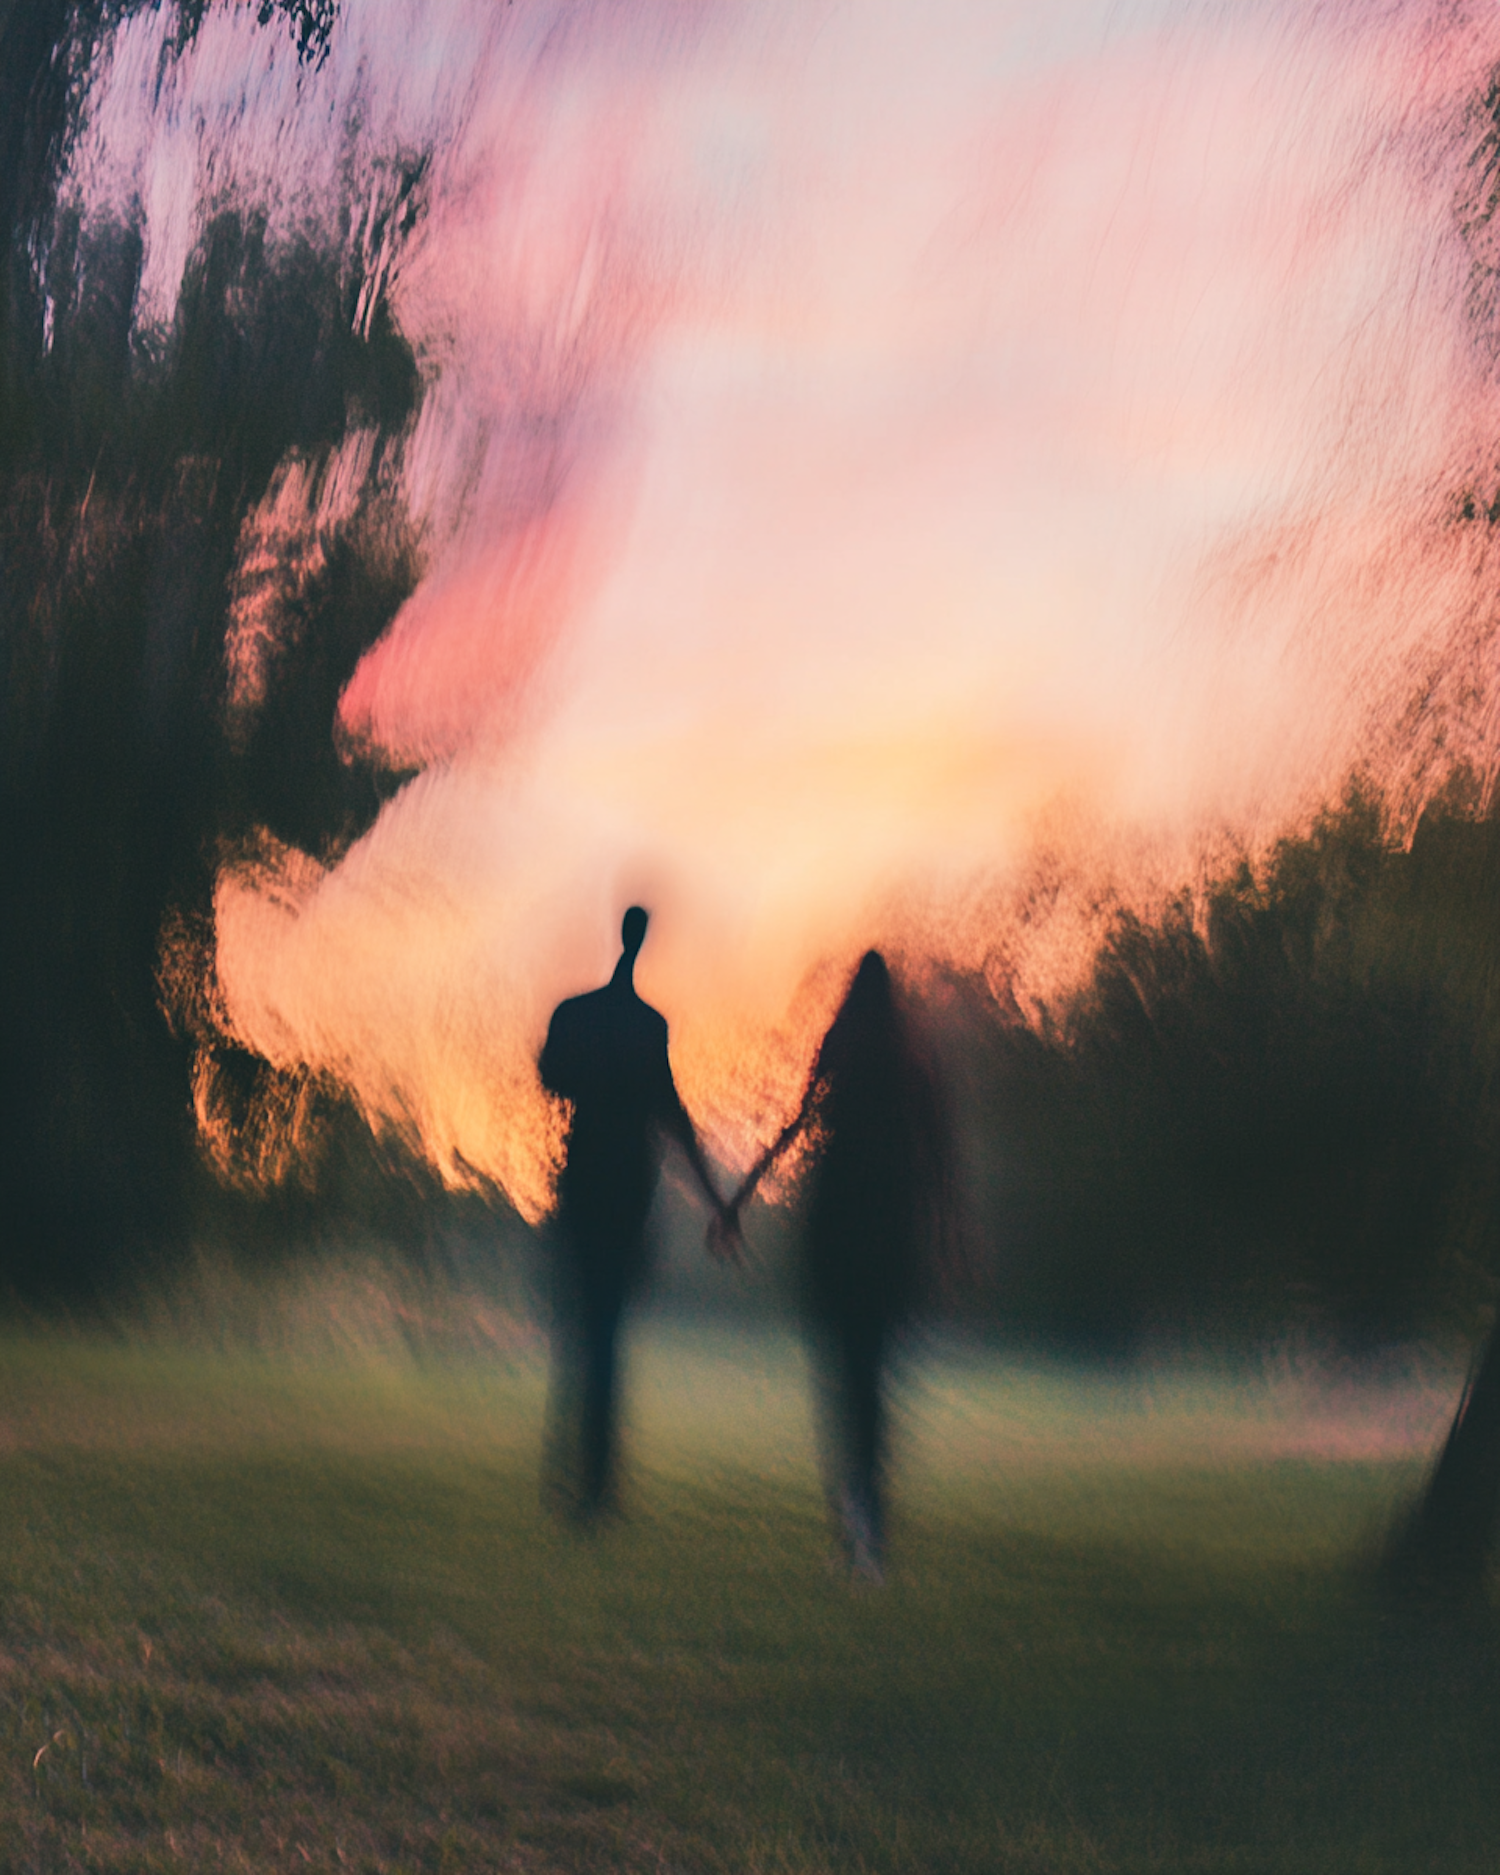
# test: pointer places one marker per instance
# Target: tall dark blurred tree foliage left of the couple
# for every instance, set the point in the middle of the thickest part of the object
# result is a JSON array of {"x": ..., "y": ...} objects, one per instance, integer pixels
[{"x": 136, "y": 468}]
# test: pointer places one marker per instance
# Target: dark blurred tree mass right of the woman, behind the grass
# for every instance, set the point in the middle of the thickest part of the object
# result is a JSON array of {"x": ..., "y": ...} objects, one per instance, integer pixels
[{"x": 1272, "y": 1103}]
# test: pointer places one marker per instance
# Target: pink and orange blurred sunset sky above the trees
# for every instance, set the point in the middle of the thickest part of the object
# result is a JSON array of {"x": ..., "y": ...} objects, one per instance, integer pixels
[{"x": 888, "y": 473}]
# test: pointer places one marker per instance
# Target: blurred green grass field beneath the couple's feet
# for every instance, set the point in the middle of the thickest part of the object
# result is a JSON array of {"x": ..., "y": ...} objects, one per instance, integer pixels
[{"x": 263, "y": 1613}]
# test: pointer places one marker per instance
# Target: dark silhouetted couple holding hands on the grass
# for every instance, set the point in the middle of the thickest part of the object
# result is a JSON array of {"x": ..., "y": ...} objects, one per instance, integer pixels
[{"x": 869, "y": 1115}]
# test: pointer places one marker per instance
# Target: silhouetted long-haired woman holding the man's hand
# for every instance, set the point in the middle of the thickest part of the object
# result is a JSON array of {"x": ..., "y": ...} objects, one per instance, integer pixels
[{"x": 873, "y": 1216}]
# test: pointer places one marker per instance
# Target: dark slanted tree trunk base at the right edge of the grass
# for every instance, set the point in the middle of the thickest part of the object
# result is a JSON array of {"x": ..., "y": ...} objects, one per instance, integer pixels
[{"x": 1452, "y": 1535}]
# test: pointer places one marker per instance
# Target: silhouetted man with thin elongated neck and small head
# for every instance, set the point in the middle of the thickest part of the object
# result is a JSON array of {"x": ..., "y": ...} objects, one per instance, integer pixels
[{"x": 607, "y": 1053}]
